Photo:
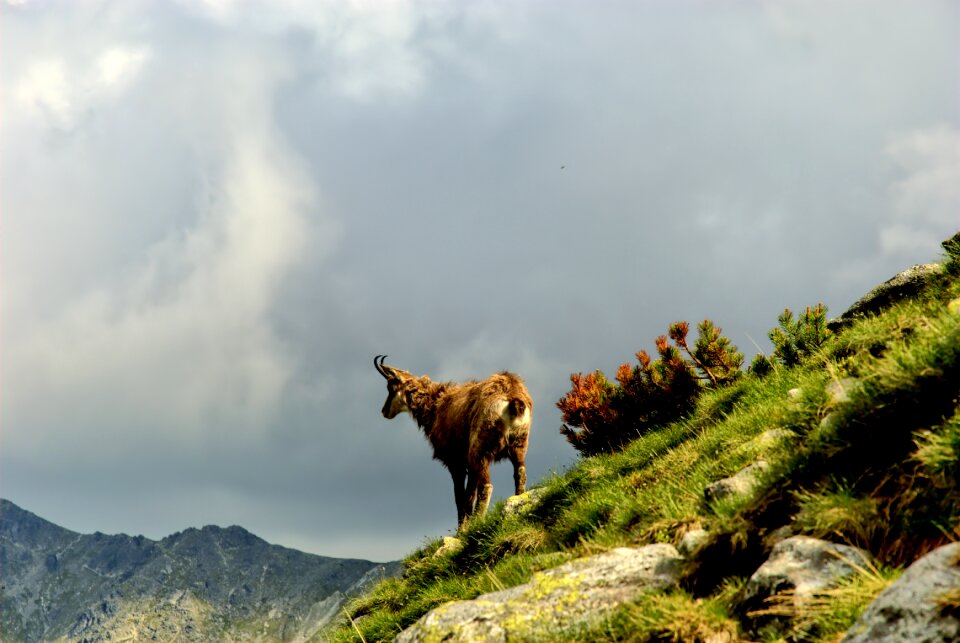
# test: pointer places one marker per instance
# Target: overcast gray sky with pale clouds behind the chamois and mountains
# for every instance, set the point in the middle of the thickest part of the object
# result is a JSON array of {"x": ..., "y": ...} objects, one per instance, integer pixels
[{"x": 214, "y": 214}]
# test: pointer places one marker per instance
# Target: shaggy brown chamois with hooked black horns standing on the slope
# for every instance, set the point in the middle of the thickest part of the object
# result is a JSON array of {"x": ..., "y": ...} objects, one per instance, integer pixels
[{"x": 469, "y": 425}]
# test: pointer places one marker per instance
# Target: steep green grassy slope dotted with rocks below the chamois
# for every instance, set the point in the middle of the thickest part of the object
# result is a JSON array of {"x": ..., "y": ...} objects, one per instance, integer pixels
[{"x": 881, "y": 474}]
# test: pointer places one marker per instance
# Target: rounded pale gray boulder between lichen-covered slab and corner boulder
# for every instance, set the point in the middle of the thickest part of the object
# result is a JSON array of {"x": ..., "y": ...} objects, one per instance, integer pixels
[{"x": 802, "y": 566}]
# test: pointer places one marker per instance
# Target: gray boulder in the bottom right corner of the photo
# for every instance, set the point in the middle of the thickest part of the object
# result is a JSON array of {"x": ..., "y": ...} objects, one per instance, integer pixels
[{"x": 908, "y": 609}]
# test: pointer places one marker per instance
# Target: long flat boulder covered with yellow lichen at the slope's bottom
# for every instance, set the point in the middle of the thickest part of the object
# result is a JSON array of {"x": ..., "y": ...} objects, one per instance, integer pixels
[{"x": 565, "y": 598}]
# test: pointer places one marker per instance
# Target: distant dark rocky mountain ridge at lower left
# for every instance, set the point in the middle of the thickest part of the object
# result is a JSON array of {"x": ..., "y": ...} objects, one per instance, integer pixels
[{"x": 195, "y": 585}]
